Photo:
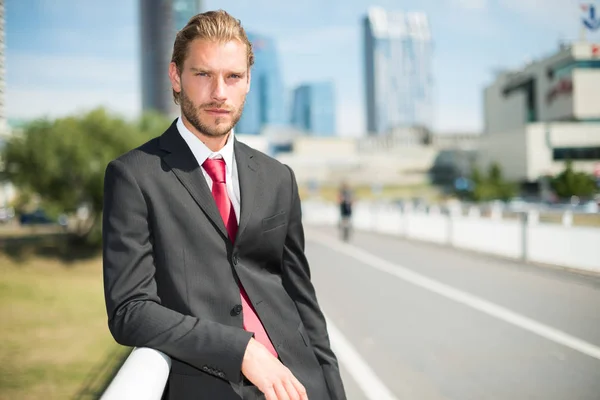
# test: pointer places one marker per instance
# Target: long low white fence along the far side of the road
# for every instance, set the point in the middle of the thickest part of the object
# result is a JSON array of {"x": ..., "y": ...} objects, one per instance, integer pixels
[{"x": 527, "y": 239}]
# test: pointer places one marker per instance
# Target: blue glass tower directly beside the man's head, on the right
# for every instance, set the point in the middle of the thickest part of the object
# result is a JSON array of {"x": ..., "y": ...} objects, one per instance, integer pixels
[{"x": 265, "y": 103}]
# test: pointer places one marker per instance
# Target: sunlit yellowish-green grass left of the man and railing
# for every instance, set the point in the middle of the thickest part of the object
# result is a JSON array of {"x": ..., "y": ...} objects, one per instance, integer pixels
[{"x": 54, "y": 335}]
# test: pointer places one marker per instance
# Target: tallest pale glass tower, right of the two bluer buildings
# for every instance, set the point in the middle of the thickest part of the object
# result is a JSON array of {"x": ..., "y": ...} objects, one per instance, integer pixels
[{"x": 398, "y": 70}]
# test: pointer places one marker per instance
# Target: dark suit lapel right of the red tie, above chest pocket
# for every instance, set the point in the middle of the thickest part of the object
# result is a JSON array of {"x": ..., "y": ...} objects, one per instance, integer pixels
[{"x": 249, "y": 177}]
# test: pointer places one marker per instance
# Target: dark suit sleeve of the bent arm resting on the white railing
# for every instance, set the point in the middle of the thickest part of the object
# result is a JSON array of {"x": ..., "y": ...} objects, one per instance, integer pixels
[{"x": 135, "y": 315}]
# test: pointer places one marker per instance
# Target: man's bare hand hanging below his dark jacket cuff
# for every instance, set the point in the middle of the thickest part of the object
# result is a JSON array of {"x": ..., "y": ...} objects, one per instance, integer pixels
[{"x": 269, "y": 375}]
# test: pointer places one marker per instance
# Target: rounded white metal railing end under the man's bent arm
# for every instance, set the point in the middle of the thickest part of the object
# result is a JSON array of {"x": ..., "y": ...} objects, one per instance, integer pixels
[{"x": 143, "y": 376}]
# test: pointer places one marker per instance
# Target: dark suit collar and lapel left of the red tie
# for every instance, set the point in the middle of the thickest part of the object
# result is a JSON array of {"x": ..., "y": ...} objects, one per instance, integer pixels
[{"x": 184, "y": 165}]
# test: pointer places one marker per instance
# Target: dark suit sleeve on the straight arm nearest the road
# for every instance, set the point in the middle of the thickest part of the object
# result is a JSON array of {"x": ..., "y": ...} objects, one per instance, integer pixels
[{"x": 297, "y": 282}]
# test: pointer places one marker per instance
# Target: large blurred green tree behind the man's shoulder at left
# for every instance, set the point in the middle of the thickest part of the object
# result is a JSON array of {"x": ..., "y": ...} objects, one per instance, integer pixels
[{"x": 63, "y": 160}]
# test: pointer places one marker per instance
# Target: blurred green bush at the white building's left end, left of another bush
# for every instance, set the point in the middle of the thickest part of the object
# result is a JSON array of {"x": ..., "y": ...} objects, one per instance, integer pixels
[{"x": 491, "y": 187}]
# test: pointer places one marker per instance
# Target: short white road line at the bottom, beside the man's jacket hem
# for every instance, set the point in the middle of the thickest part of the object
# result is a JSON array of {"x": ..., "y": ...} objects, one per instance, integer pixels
[{"x": 362, "y": 374}]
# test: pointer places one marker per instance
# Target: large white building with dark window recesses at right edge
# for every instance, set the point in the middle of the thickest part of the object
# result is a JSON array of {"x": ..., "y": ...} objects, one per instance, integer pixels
[{"x": 549, "y": 111}]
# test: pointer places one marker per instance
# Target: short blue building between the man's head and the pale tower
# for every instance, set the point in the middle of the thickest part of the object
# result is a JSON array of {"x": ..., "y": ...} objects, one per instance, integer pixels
[{"x": 313, "y": 109}]
